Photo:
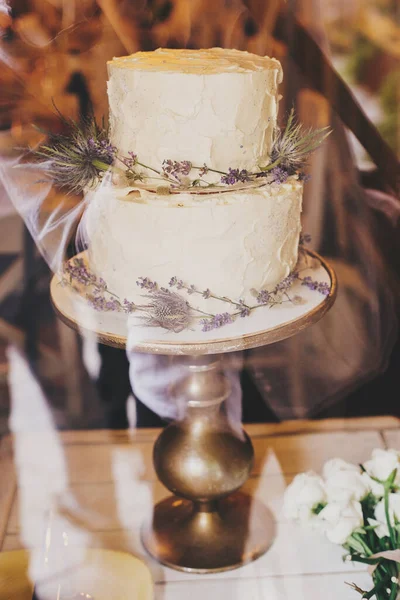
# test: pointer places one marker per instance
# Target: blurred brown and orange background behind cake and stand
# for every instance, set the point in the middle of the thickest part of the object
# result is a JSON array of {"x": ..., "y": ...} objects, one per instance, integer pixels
[{"x": 341, "y": 65}]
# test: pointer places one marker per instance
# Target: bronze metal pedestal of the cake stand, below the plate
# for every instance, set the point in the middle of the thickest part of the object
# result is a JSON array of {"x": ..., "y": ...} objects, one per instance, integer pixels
[{"x": 207, "y": 526}]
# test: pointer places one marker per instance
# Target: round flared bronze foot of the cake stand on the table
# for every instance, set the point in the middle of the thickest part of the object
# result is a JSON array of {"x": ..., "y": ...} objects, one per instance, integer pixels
[{"x": 211, "y": 538}]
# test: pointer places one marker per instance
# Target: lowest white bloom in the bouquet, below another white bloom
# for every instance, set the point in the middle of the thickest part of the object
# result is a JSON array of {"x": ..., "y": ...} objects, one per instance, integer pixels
[{"x": 340, "y": 520}]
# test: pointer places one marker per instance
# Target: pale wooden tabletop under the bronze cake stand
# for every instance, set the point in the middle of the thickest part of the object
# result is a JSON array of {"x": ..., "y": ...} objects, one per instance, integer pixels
[{"x": 102, "y": 486}]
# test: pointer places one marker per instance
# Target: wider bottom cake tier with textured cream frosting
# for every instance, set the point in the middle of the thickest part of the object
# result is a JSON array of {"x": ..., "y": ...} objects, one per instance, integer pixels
[{"x": 230, "y": 243}]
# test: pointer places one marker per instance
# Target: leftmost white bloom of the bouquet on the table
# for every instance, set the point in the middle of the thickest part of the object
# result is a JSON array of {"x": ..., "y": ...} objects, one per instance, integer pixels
[{"x": 304, "y": 493}]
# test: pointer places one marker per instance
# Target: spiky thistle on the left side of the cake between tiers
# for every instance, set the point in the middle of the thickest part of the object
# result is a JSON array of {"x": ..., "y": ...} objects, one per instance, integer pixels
[{"x": 77, "y": 159}]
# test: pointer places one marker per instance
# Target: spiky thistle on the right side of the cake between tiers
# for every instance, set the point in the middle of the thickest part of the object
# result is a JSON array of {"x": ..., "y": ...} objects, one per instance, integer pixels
[{"x": 292, "y": 146}]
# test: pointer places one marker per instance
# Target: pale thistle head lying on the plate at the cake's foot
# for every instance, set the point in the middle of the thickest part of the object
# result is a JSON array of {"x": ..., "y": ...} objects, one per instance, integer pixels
[{"x": 167, "y": 310}]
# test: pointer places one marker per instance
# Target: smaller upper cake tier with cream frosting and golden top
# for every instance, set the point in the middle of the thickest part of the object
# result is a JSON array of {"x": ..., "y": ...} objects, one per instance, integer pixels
[{"x": 215, "y": 106}]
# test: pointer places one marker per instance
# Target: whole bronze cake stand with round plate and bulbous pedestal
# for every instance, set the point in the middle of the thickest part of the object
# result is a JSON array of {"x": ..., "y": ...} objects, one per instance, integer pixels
[{"x": 207, "y": 525}]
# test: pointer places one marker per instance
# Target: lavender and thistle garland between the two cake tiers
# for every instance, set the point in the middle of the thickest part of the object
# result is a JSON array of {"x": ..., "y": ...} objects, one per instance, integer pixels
[{"x": 79, "y": 159}]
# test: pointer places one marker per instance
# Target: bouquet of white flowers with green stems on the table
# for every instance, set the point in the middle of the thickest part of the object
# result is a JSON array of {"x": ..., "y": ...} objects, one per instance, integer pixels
[{"x": 357, "y": 507}]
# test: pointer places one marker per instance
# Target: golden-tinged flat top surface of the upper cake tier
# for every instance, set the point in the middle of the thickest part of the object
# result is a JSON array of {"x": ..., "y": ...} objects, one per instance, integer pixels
[{"x": 196, "y": 62}]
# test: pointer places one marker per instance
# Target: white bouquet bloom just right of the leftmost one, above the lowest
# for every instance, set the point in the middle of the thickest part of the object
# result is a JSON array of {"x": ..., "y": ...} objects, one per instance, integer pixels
[{"x": 344, "y": 482}]
